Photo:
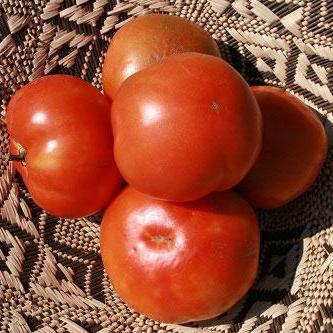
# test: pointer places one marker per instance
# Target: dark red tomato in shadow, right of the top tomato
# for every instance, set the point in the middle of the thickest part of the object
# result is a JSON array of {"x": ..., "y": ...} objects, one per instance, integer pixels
[{"x": 294, "y": 149}]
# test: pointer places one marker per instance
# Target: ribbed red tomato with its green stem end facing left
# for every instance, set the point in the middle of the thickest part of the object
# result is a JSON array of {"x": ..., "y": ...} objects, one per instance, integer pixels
[{"x": 61, "y": 126}]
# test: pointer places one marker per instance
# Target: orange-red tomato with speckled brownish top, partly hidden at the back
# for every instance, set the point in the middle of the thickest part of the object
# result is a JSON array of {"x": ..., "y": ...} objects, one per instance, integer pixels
[{"x": 147, "y": 40}]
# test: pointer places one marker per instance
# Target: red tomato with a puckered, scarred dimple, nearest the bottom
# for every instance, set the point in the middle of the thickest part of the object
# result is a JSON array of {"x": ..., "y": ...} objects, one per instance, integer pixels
[{"x": 178, "y": 262}]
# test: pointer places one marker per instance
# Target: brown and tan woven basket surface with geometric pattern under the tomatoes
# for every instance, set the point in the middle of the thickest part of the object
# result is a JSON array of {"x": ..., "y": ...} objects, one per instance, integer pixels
[{"x": 51, "y": 275}]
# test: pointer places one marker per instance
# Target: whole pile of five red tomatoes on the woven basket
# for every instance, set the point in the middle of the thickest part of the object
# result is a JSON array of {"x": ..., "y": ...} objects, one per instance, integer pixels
[{"x": 197, "y": 147}]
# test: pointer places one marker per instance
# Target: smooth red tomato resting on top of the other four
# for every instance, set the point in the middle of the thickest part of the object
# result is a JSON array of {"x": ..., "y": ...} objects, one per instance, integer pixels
[{"x": 185, "y": 127}]
